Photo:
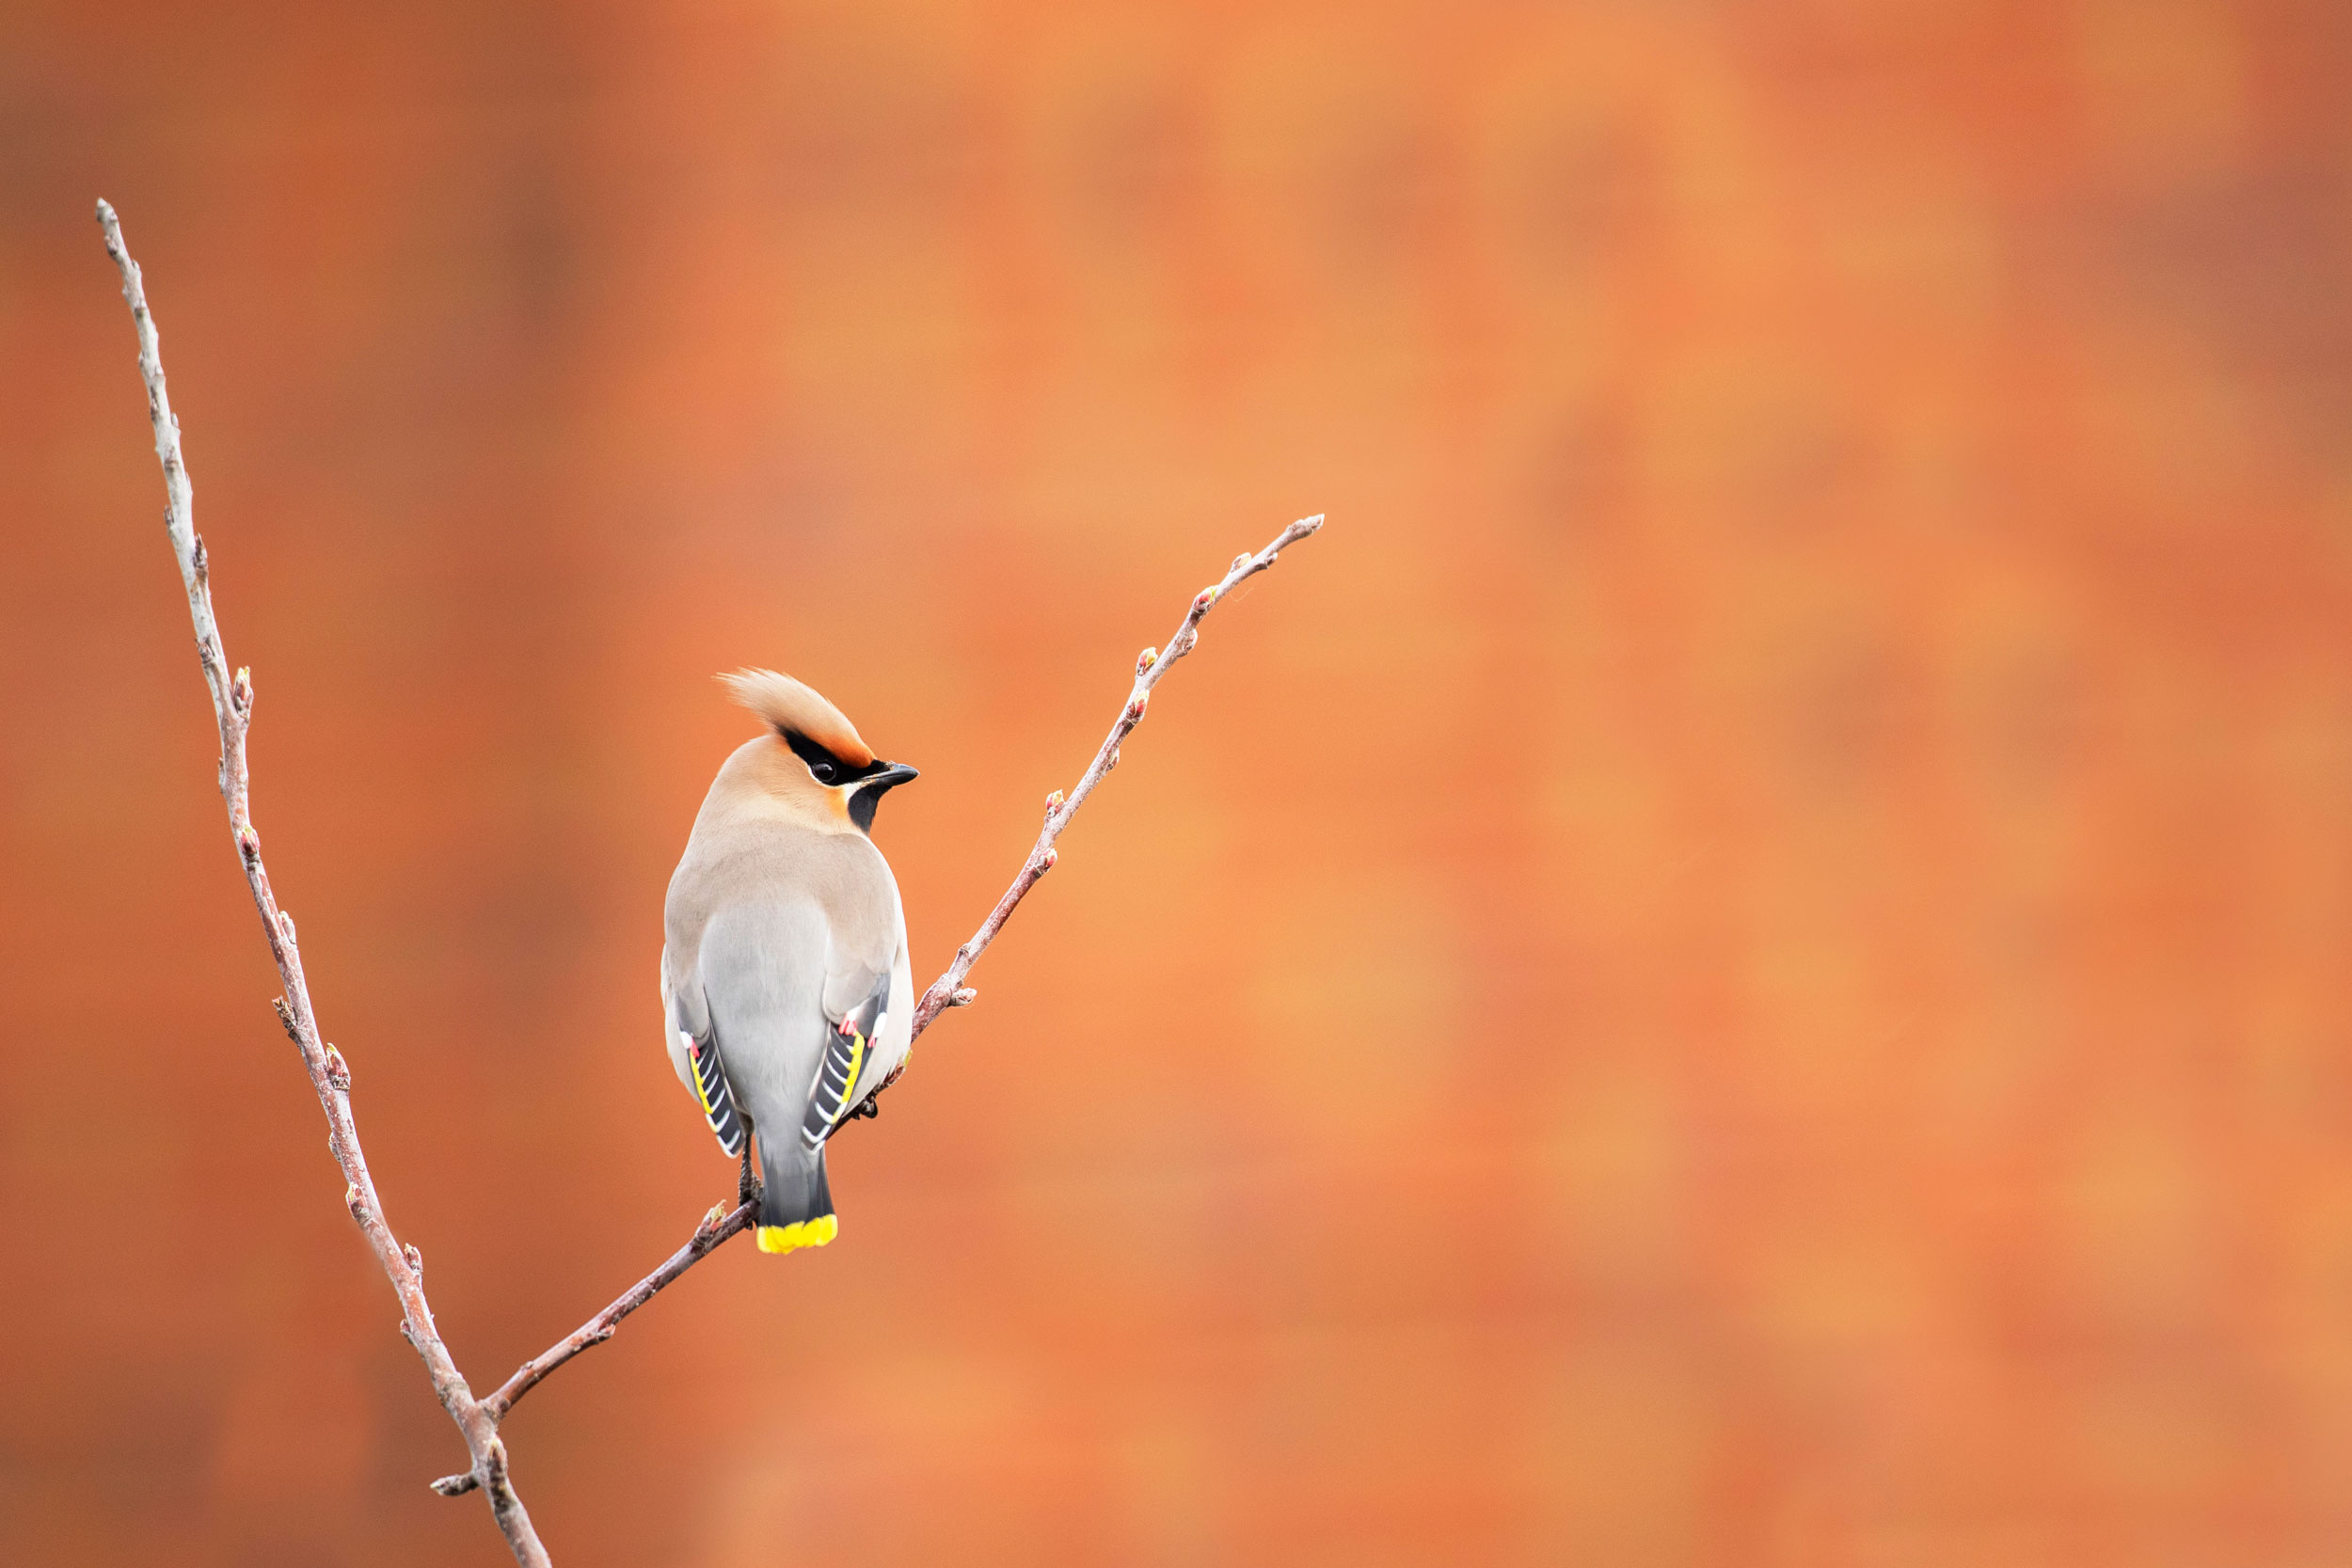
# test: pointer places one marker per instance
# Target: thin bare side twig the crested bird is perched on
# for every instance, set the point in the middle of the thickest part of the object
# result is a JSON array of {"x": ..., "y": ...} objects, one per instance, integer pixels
[{"x": 944, "y": 993}]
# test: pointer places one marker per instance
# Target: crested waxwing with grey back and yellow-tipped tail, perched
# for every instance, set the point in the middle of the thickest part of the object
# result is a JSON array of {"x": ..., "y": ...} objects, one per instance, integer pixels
[{"x": 784, "y": 981}]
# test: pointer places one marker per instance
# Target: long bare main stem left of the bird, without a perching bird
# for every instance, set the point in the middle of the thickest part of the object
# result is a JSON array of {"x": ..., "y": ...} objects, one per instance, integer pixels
[{"x": 234, "y": 713}]
